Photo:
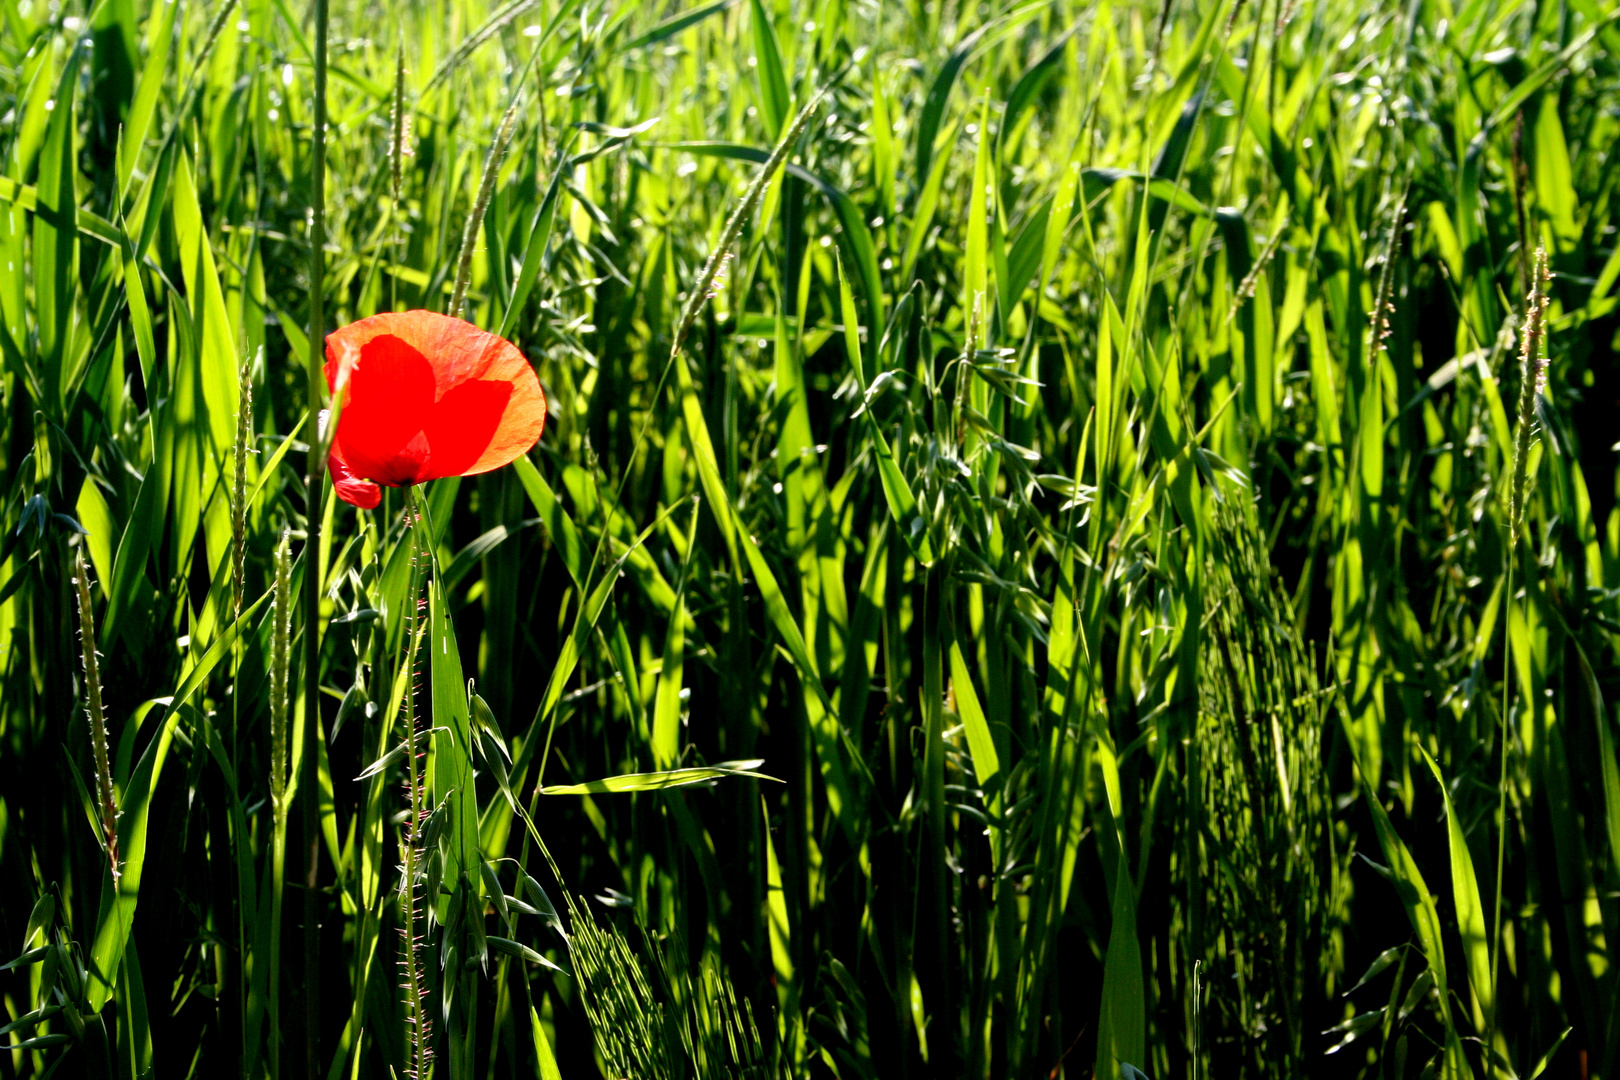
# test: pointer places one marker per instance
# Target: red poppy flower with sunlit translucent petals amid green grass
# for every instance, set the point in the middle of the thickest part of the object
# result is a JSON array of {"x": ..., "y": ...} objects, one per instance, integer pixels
[{"x": 425, "y": 396}]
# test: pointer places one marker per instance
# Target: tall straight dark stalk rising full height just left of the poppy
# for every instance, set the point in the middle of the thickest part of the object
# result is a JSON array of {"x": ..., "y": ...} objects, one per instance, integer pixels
[{"x": 313, "y": 500}]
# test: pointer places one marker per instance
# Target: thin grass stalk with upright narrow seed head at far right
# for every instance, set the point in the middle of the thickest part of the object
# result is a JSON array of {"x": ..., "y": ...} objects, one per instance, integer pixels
[{"x": 1535, "y": 370}]
